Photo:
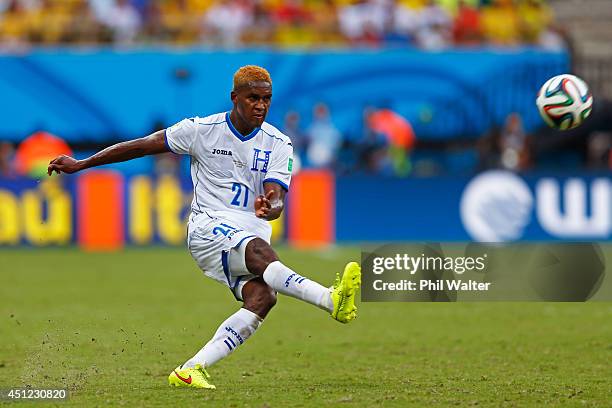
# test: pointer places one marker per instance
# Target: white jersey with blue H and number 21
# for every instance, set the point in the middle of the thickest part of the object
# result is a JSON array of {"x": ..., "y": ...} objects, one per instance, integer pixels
[{"x": 228, "y": 169}]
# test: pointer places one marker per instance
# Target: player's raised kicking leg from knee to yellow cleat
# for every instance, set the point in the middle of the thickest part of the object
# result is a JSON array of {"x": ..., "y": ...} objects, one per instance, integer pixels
[{"x": 339, "y": 301}]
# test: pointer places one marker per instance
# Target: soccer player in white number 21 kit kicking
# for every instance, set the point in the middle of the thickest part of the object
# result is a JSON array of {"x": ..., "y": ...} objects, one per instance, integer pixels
[{"x": 241, "y": 171}]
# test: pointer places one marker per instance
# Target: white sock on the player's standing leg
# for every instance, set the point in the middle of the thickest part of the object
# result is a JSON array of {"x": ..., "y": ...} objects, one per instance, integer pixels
[{"x": 232, "y": 333}]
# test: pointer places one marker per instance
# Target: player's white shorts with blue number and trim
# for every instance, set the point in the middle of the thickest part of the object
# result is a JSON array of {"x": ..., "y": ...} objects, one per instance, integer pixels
[{"x": 218, "y": 247}]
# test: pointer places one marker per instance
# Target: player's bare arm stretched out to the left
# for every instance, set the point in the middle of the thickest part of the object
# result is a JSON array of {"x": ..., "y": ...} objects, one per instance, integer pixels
[{"x": 131, "y": 149}]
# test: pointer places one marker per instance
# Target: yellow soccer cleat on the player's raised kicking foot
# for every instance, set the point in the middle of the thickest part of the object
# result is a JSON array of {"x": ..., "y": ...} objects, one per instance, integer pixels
[{"x": 344, "y": 291}]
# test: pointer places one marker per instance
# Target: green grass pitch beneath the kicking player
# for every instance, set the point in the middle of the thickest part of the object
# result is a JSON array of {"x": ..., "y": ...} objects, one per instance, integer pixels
[{"x": 111, "y": 327}]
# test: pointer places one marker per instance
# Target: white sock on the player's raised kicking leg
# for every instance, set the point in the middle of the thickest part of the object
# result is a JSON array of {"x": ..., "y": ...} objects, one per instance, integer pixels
[{"x": 287, "y": 282}]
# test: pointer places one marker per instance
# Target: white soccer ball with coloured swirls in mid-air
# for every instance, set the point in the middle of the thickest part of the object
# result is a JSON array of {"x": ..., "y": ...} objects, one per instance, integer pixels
[{"x": 564, "y": 102}]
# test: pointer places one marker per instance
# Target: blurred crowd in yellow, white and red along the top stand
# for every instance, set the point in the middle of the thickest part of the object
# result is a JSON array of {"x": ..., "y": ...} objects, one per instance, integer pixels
[{"x": 428, "y": 24}]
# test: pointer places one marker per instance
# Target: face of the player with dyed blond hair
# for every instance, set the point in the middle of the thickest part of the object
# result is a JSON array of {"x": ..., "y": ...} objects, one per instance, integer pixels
[{"x": 252, "y": 103}]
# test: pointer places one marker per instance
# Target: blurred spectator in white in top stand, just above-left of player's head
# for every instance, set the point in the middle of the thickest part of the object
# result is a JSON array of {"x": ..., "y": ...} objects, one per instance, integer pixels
[{"x": 226, "y": 21}]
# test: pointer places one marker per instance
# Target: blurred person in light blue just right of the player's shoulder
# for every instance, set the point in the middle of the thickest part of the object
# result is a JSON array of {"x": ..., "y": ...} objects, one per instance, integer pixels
[{"x": 323, "y": 138}]
